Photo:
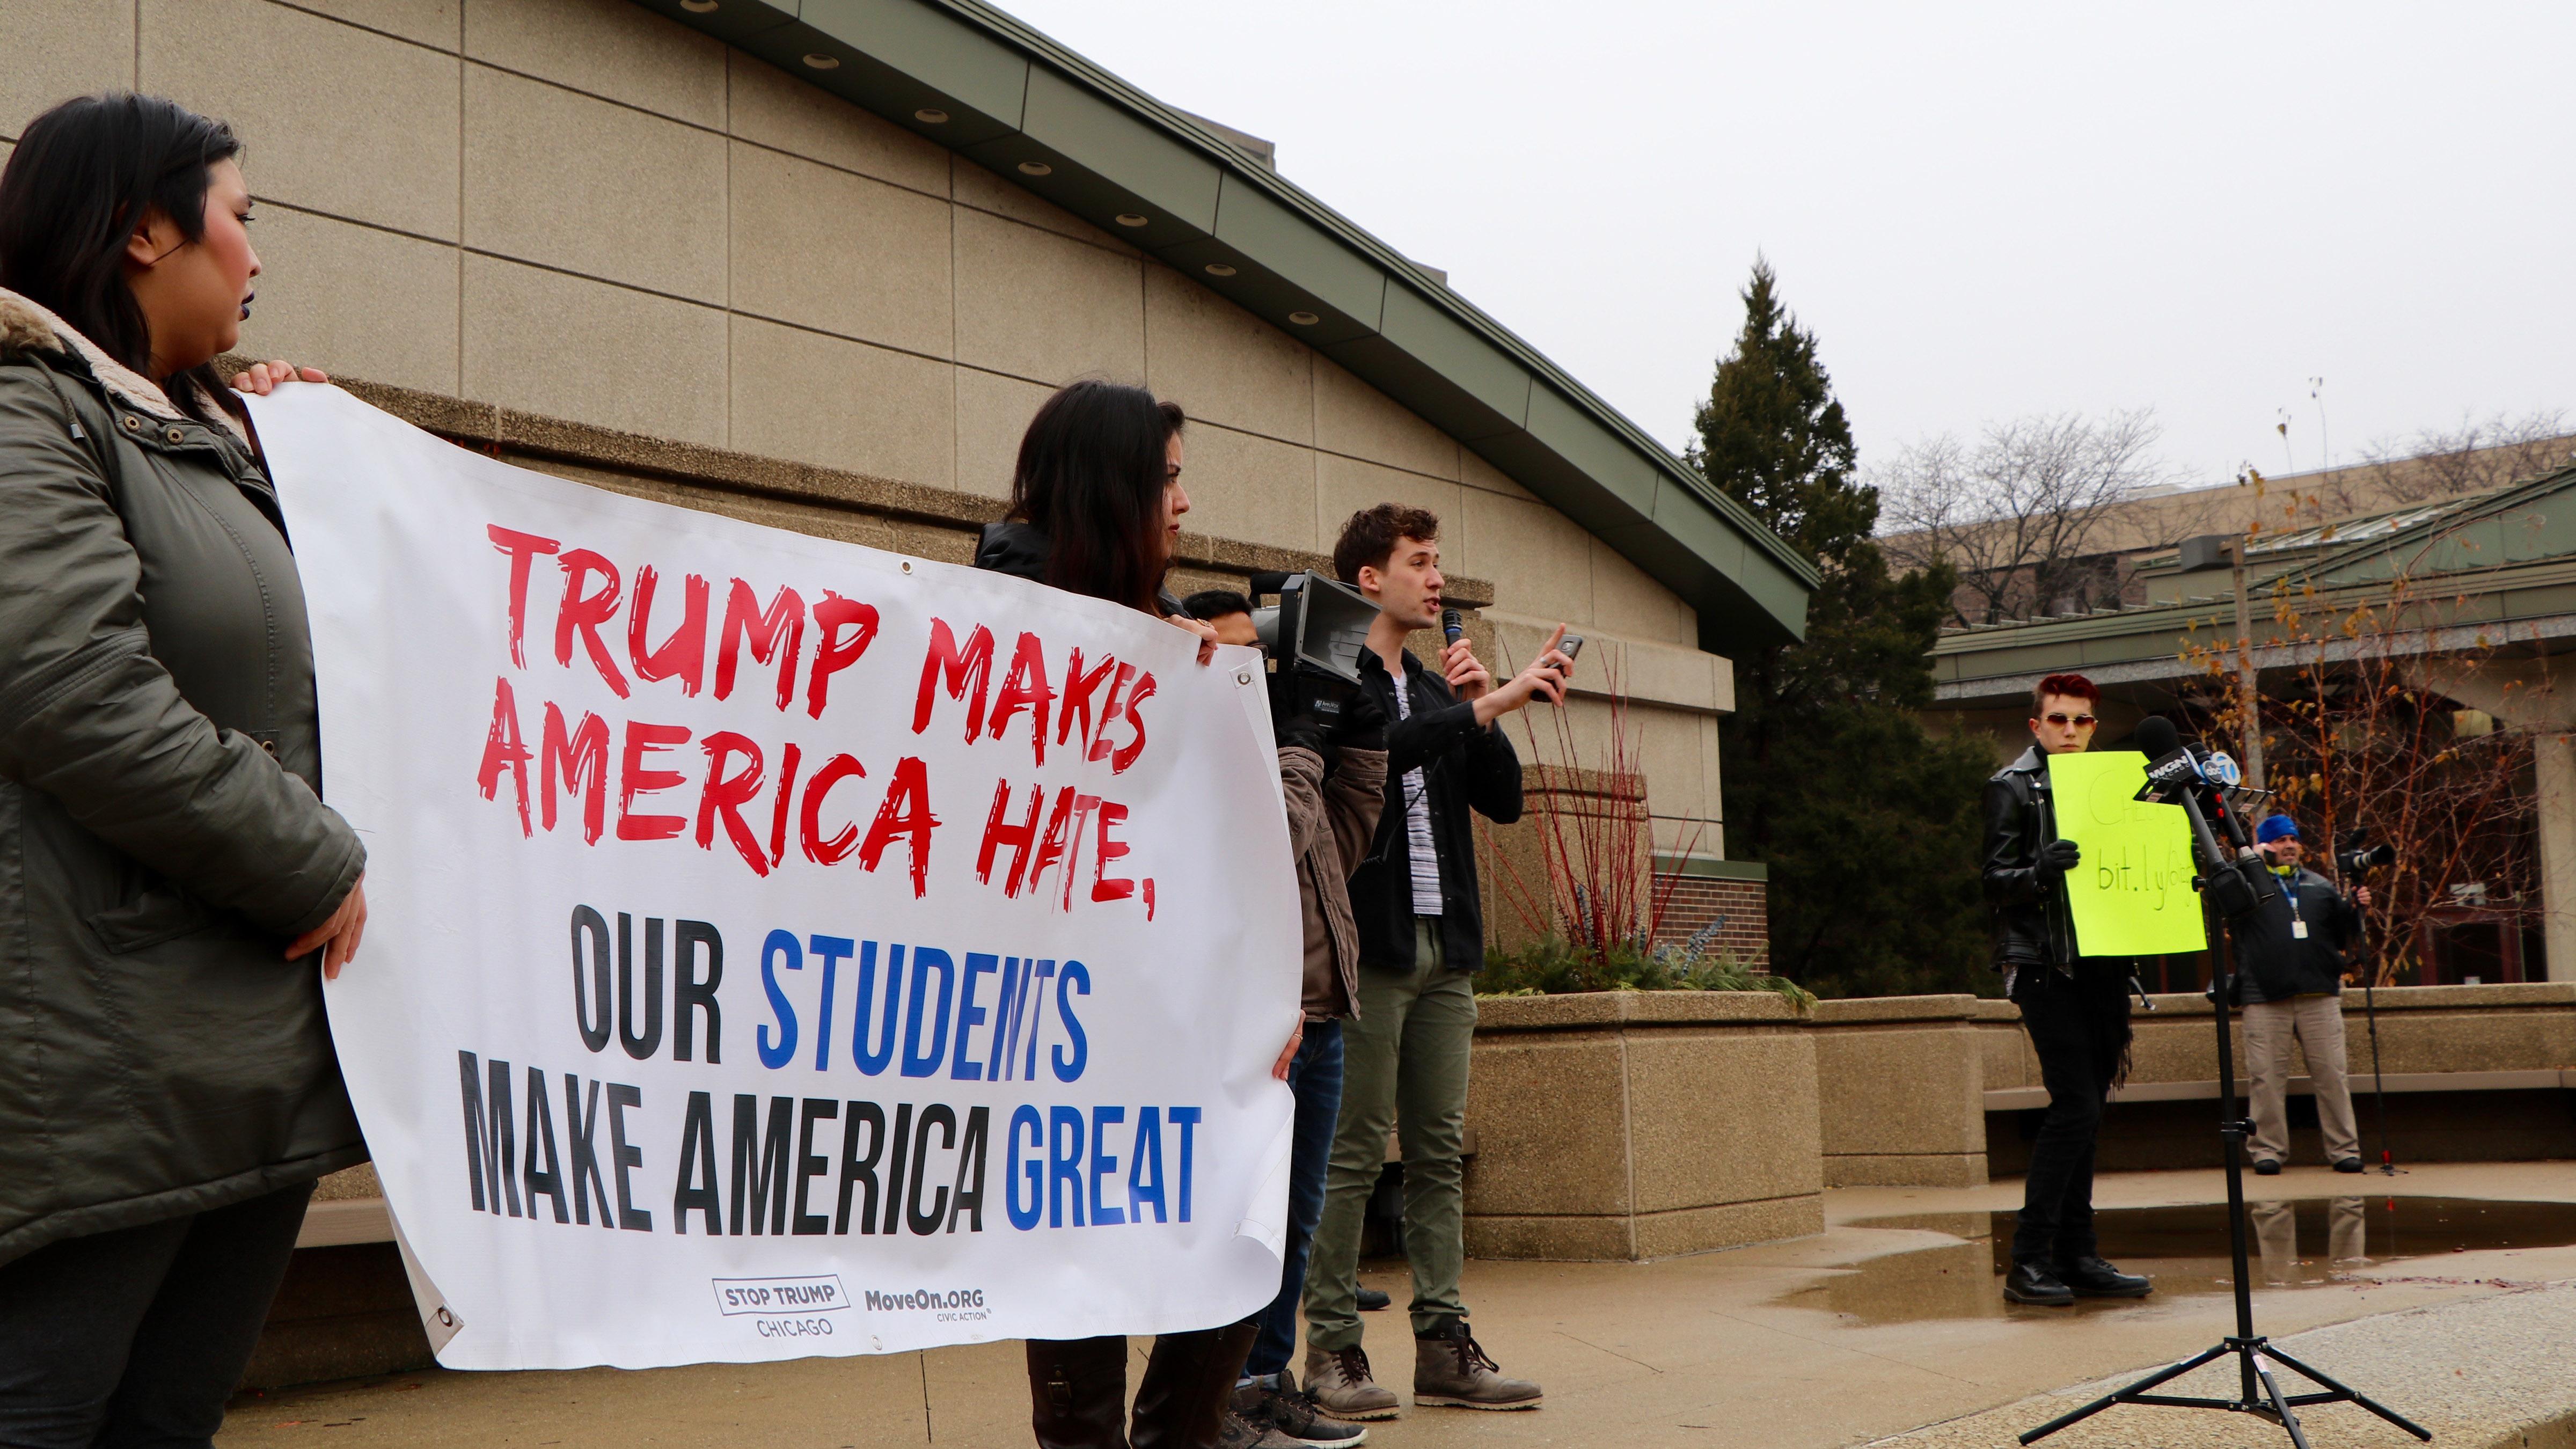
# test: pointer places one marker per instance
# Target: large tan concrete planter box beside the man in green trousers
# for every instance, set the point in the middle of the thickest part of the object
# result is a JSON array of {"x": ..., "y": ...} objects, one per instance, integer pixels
[{"x": 1642, "y": 1125}]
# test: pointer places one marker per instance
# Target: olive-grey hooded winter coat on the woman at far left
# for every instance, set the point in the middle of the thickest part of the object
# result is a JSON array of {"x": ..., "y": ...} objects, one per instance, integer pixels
[{"x": 161, "y": 829}]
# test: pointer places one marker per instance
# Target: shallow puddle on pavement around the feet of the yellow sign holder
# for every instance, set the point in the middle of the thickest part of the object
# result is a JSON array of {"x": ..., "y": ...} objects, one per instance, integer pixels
[{"x": 2186, "y": 1249}]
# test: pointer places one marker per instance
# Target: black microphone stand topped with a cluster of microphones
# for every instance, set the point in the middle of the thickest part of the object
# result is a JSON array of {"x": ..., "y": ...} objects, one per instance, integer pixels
[{"x": 2255, "y": 1355}]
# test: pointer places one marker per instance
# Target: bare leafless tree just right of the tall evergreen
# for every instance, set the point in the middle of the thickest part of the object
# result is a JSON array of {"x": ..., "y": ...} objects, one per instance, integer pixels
[{"x": 2016, "y": 512}]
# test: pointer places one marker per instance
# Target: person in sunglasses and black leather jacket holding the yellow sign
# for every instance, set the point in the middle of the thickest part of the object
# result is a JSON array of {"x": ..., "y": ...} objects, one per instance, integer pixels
[{"x": 2075, "y": 1007}]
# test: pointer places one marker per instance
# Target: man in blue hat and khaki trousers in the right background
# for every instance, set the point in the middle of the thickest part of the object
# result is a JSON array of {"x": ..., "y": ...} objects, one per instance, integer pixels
[{"x": 2291, "y": 963}]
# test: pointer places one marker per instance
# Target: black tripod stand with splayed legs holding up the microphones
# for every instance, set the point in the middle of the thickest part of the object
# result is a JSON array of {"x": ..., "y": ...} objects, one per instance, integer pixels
[{"x": 2258, "y": 1391}]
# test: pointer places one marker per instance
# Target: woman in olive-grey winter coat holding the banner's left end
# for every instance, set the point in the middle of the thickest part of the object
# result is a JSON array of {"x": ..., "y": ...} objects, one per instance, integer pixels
[{"x": 169, "y": 873}]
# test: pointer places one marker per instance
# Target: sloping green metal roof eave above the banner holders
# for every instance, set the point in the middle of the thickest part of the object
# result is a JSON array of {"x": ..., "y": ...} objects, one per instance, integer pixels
[{"x": 1114, "y": 148}]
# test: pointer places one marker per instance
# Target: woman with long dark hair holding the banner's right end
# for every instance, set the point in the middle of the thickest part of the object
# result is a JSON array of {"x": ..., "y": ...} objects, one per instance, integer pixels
[{"x": 1096, "y": 509}]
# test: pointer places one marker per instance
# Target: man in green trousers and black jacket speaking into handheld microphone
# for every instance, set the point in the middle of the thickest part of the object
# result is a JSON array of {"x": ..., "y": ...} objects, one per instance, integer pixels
[{"x": 1421, "y": 945}]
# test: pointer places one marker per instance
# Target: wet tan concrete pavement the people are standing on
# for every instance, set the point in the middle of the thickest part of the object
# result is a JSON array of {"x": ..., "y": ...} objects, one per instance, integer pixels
[{"x": 1838, "y": 1339}]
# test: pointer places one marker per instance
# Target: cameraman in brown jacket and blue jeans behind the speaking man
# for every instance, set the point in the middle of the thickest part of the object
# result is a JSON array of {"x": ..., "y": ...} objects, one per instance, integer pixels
[{"x": 1333, "y": 783}]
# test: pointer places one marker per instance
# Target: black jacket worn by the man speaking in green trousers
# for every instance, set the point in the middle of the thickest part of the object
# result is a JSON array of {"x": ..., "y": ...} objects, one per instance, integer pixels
[{"x": 1464, "y": 767}]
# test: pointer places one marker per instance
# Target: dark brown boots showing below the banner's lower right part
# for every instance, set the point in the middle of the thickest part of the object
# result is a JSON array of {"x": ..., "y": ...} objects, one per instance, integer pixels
[{"x": 1078, "y": 1391}]
